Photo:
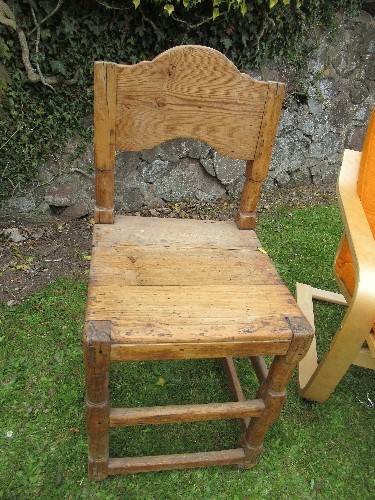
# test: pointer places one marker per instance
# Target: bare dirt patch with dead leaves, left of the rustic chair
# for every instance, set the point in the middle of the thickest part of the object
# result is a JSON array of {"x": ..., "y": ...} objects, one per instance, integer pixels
[{"x": 33, "y": 255}]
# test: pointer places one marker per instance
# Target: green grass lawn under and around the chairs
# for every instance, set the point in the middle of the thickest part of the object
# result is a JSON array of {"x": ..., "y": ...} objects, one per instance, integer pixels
[{"x": 312, "y": 451}]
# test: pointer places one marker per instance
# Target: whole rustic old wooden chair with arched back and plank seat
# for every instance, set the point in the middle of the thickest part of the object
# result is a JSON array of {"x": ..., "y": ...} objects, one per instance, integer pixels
[{"x": 164, "y": 289}]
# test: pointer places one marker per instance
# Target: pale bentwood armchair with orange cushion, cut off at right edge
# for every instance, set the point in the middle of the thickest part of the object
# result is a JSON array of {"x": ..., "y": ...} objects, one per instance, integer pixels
[{"x": 354, "y": 271}]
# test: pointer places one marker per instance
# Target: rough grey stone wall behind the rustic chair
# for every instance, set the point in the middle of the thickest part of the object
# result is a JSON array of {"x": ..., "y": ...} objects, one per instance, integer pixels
[{"x": 317, "y": 123}]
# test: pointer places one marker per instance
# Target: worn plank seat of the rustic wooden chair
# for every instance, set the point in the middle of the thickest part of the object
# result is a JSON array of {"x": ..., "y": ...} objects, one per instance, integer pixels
[{"x": 154, "y": 289}]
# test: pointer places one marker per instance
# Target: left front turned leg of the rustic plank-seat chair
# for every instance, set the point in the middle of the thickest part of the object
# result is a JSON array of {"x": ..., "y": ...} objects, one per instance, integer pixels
[{"x": 97, "y": 348}]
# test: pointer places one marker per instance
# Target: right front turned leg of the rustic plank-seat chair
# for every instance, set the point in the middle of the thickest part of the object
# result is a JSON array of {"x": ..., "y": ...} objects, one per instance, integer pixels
[{"x": 273, "y": 391}]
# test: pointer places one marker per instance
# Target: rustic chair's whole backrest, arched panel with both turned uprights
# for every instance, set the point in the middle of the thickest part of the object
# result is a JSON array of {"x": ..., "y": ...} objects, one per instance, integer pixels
[{"x": 186, "y": 92}]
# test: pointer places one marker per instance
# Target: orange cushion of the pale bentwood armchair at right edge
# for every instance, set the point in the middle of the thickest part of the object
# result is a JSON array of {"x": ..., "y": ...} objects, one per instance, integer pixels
[{"x": 366, "y": 191}]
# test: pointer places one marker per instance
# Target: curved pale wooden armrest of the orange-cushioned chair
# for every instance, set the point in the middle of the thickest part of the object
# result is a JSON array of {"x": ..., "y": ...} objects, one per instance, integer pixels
[{"x": 357, "y": 229}]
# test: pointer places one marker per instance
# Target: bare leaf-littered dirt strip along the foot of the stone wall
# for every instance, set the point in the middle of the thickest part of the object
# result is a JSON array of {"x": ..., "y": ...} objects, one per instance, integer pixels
[{"x": 32, "y": 255}]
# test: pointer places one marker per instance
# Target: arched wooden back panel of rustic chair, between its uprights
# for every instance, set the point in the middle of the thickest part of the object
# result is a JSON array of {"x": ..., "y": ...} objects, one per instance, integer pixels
[{"x": 193, "y": 92}]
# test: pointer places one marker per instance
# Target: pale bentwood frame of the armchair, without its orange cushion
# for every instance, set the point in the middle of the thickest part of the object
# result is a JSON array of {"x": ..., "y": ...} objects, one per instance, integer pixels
[{"x": 318, "y": 380}]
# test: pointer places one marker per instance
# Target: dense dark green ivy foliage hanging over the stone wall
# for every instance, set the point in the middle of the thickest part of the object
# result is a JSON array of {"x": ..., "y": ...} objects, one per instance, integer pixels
[{"x": 65, "y": 37}]
